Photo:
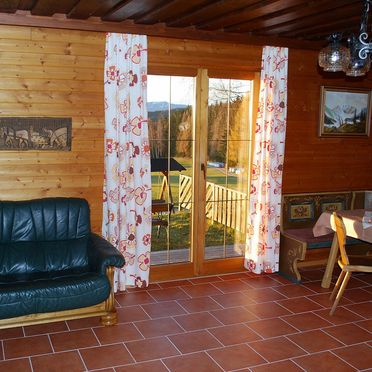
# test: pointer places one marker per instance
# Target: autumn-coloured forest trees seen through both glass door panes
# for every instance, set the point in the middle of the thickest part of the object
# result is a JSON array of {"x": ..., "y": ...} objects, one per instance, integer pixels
[{"x": 227, "y": 122}]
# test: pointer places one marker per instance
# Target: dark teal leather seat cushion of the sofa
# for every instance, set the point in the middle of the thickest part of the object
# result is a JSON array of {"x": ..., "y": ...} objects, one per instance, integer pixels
[{"x": 62, "y": 291}]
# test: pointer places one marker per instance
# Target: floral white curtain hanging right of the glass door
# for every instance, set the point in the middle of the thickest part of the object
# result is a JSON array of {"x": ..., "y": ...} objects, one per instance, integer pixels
[{"x": 262, "y": 250}]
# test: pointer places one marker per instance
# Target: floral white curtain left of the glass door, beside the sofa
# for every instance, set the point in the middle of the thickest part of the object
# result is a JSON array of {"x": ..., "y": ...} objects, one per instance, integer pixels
[{"x": 127, "y": 183}]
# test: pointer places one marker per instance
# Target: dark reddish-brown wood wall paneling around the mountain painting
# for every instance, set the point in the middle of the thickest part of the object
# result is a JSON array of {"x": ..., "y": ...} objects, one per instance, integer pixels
[{"x": 313, "y": 163}]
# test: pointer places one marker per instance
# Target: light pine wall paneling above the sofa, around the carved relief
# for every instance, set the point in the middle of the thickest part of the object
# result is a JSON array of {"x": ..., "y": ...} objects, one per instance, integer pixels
[{"x": 54, "y": 73}]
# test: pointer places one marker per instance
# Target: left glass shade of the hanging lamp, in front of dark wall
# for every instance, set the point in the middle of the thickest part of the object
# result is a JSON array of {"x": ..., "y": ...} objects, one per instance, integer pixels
[{"x": 334, "y": 57}]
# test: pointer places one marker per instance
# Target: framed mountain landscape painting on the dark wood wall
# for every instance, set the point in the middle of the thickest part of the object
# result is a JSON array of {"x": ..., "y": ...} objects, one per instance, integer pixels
[{"x": 344, "y": 112}]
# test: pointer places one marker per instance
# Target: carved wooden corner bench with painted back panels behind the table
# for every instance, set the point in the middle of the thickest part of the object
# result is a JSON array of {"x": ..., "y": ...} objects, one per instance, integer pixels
[{"x": 298, "y": 246}]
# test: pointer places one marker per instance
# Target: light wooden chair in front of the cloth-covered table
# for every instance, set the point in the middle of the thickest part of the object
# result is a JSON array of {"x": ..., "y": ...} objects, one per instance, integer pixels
[{"x": 347, "y": 263}]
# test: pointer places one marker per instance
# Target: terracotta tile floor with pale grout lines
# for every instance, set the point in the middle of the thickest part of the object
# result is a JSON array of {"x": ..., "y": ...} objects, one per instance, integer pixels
[{"x": 236, "y": 322}]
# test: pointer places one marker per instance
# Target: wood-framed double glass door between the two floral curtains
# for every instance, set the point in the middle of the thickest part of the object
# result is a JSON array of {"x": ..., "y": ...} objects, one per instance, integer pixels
[{"x": 200, "y": 138}]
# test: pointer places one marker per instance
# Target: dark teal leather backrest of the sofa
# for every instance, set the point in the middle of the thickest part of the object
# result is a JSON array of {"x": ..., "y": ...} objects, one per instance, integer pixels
[{"x": 43, "y": 235}]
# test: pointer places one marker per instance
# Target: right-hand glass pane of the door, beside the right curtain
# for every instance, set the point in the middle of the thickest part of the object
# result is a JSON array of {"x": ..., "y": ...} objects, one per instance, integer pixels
[{"x": 228, "y": 158}]
